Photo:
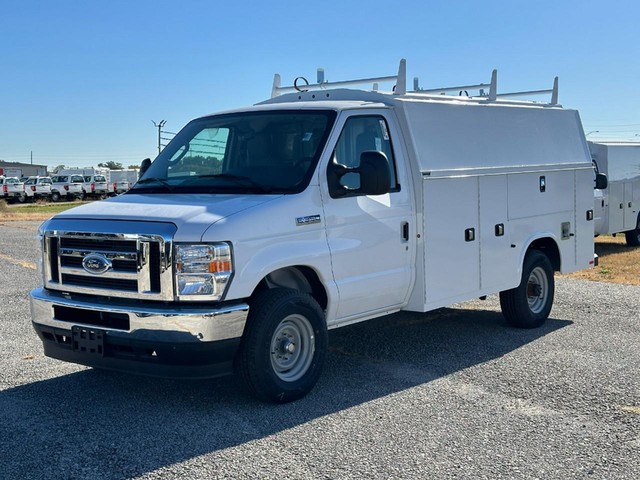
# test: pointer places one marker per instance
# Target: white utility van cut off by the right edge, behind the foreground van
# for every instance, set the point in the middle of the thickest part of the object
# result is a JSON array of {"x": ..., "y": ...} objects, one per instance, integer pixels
[{"x": 617, "y": 207}]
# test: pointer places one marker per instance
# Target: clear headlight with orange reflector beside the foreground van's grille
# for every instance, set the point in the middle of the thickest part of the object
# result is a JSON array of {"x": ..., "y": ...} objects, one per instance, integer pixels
[{"x": 202, "y": 271}]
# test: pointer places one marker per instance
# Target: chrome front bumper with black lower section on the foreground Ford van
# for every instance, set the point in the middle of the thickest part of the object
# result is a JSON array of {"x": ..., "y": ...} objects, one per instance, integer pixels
[{"x": 166, "y": 340}]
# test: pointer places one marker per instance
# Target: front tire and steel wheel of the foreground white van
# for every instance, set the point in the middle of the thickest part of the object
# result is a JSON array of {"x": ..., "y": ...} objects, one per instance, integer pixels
[{"x": 283, "y": 347}]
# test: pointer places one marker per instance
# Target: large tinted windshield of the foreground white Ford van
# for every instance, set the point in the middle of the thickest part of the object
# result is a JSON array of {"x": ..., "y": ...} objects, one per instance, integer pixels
[{"x": 258, "y": 152}]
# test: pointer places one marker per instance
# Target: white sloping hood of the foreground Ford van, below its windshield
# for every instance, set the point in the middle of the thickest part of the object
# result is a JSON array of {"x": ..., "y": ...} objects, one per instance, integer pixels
[{"x": 192, "y": 214}]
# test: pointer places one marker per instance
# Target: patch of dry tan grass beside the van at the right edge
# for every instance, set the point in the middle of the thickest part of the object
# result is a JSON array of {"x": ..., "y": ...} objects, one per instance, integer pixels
[{"x": 618, "y": 263}]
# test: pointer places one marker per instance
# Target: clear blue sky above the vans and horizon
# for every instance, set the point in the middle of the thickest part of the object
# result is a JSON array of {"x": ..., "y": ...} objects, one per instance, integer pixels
[{"x": 81, "y": 81}]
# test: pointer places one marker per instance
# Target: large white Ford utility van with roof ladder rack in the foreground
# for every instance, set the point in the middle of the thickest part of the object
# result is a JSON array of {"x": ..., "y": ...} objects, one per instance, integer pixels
[{"x": 256, "y": 230}]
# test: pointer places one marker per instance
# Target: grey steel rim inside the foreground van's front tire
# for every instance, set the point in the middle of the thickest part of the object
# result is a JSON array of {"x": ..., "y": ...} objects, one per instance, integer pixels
[{"x": 292, "y": 348}]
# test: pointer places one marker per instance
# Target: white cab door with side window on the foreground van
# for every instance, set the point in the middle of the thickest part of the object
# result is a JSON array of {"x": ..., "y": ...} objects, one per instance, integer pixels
[{"x": 370, "y": 237}]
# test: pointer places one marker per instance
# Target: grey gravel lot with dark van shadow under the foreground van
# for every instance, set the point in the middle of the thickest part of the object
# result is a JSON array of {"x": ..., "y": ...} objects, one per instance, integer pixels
[{"x": 450, "y": 394}]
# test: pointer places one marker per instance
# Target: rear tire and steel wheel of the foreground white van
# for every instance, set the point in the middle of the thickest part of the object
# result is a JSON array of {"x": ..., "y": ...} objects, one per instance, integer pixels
[{"x": 529, "y": 304}]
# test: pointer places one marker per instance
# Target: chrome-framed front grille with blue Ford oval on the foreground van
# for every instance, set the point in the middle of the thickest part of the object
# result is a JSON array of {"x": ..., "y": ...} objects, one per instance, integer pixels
[{"x": 134, "y": 262}]
